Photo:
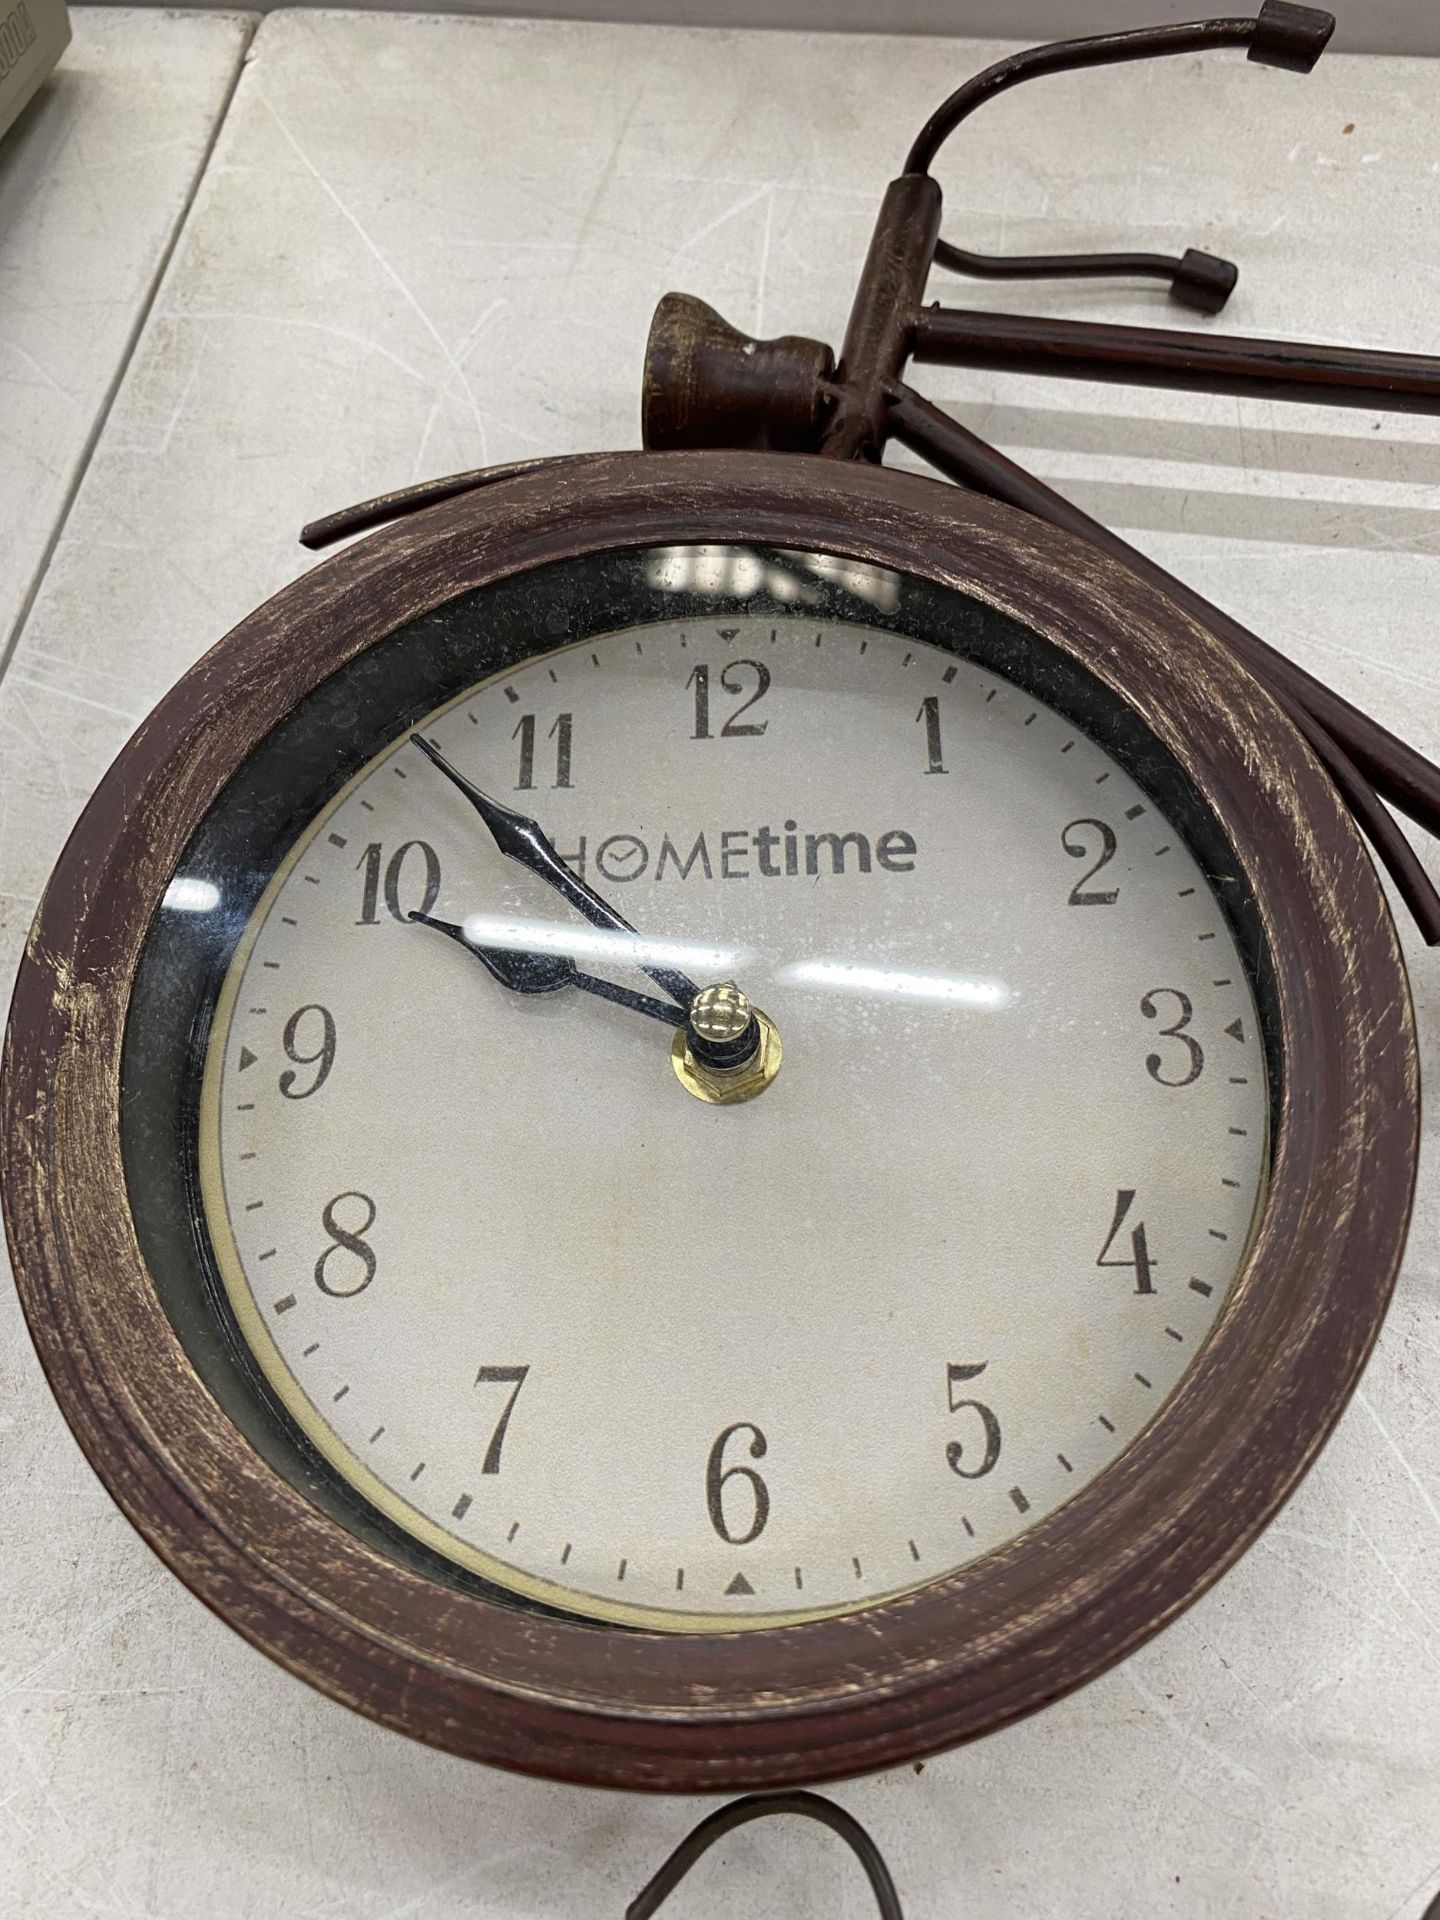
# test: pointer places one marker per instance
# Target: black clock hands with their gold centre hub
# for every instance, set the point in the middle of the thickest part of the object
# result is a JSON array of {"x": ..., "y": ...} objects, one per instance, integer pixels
[{"x": 725, "y": 1049}]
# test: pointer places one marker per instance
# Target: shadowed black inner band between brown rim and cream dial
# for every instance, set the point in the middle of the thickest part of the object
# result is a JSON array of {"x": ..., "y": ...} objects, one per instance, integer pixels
[{"x": 352, "y": 715}]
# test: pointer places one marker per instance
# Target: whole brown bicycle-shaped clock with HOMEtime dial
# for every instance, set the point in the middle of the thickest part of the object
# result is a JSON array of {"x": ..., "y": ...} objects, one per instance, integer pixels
[{"x": 717, "y": 1116}]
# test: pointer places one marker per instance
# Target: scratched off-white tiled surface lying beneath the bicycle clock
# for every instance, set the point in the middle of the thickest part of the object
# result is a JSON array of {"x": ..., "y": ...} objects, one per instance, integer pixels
[{"x": 429, "y": 243}]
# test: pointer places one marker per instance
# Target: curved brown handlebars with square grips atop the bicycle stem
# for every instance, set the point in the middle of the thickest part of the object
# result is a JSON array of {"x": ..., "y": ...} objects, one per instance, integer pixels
[{"x": 1280, "y": 36}]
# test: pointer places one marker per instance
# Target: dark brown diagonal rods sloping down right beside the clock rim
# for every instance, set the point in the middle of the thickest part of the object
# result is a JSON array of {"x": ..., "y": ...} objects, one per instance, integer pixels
[{"x": 1356, "y": 752}]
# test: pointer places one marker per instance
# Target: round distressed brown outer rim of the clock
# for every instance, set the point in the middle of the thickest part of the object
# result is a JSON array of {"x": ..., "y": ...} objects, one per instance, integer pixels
[{"x": 894, "y": 1681}]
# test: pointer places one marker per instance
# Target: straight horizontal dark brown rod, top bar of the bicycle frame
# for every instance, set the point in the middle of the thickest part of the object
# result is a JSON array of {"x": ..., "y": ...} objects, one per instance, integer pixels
[{"x": 1201, "y": 364}]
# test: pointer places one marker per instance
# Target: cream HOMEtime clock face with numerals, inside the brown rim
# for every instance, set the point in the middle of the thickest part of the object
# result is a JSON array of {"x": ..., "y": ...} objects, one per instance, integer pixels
[{"x": 617, "y": 1349}]
